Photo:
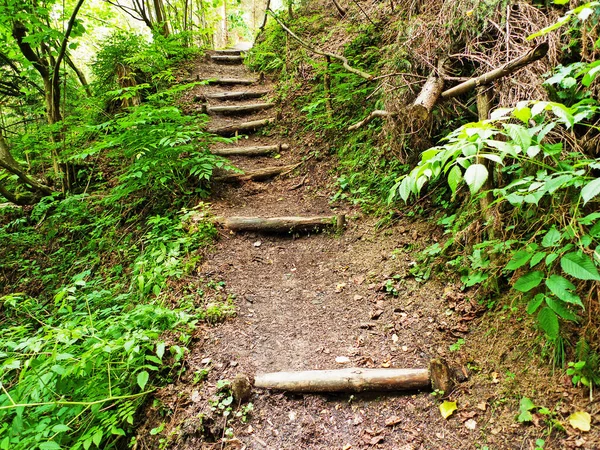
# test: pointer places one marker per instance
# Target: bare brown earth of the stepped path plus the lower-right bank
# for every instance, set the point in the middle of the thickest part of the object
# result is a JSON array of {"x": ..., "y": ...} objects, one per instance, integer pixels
[{"x": 305, "y": 300}]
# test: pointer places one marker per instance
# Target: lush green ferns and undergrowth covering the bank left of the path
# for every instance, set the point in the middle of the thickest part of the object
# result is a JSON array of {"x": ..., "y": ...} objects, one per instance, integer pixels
[{"x": 98, "y": 285}]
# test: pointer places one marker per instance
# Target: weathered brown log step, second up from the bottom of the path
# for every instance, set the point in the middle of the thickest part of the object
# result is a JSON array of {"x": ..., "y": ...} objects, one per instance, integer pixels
[{"x": 280, "y": 225}]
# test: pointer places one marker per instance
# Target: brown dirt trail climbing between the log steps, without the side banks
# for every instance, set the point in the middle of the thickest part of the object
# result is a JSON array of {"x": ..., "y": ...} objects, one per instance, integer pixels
[{"x": 304, "y": 300}]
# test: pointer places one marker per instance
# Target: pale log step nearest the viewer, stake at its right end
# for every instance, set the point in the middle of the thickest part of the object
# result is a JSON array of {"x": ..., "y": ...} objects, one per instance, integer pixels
[{"x": 437, "y": 376}]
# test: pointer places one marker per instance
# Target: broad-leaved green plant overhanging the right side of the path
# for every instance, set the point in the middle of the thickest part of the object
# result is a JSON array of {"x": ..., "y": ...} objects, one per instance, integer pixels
[{"x": 546, "y": 184}]
